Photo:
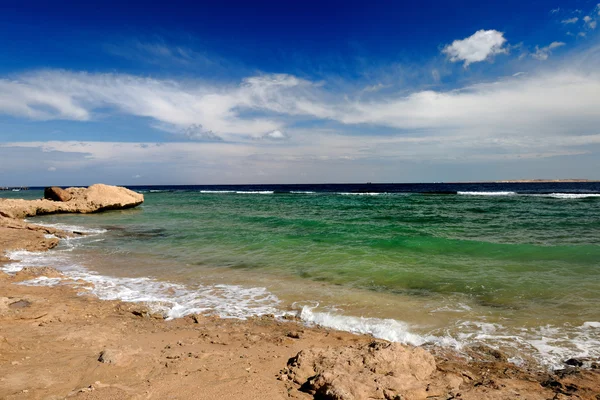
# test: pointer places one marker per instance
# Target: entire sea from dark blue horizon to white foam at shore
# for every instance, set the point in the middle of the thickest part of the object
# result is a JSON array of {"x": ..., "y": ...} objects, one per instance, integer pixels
[{"x": 514, "y": 266}]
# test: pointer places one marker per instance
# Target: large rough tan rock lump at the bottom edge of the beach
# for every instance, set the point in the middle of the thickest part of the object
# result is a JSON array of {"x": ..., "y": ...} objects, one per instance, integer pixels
[{"x": 362, "y": 371}]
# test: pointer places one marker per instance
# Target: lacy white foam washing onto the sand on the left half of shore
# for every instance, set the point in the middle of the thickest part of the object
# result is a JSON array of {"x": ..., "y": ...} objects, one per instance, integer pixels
[{"x": 172, "y": 299}]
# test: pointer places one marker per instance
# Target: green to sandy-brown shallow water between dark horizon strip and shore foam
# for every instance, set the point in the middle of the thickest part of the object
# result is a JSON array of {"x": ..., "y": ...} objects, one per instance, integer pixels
[{"x": 520, "y": 262}]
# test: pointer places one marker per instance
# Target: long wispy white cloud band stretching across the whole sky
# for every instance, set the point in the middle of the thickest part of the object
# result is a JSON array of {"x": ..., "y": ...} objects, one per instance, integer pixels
[{"x": 268, "y": 103}]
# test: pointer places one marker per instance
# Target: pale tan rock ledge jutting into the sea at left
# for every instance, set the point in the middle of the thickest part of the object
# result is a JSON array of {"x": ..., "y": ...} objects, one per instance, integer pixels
[{"x": 93, "y": 199}]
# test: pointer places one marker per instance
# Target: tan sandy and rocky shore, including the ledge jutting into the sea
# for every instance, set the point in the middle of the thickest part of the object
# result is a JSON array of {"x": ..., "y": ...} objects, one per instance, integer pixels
[{"x": 58, "y": 342}]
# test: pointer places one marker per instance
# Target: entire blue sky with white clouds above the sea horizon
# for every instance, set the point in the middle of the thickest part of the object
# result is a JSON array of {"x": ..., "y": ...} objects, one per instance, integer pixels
[{"x": 310, "y": 92}]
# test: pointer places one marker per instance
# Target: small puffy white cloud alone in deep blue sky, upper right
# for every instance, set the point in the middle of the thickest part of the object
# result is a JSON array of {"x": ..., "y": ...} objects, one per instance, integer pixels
[{"x": 480, "y": 46}]
